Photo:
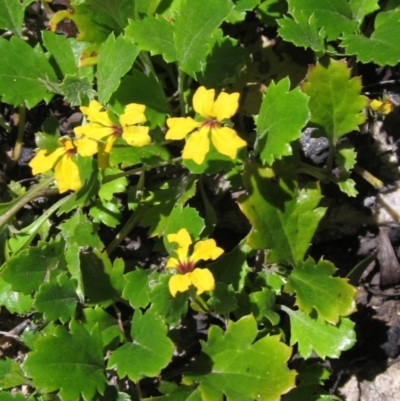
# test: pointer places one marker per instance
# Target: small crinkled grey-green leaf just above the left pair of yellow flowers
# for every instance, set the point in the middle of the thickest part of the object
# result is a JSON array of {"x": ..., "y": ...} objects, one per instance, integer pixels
[{"x": 75, "y": 89}]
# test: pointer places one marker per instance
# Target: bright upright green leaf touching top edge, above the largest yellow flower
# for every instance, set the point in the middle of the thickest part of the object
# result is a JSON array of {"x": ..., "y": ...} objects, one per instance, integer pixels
[{"x": 194, "y": 26}]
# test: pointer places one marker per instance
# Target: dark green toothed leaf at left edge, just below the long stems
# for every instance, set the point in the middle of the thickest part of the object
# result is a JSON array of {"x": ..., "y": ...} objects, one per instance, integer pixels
[{"x": 37, "y": 263}]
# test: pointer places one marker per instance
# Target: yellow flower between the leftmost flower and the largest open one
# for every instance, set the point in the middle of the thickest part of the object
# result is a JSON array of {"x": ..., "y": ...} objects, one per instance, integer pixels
[{"x": 102, "y": 128}]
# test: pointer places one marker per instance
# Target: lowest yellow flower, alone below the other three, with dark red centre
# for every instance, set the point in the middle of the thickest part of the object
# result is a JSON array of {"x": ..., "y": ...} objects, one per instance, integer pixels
[{"x": 185, "y": 265}]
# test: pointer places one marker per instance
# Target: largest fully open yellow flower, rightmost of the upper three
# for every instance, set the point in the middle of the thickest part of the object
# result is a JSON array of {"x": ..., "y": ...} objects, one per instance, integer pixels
[{"x": 213, "y": 113}]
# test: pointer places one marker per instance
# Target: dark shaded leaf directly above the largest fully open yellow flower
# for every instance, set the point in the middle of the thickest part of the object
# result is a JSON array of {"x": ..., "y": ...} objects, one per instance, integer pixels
[{"x": 224, "y": 62}]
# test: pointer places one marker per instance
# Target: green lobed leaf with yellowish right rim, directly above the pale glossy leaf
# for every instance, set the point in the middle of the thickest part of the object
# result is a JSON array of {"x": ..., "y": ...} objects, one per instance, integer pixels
[{"x": 315, "y": 288}]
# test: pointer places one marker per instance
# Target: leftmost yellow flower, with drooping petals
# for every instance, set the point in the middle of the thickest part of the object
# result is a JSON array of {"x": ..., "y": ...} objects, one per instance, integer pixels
[{"x": 65, "y": 172}]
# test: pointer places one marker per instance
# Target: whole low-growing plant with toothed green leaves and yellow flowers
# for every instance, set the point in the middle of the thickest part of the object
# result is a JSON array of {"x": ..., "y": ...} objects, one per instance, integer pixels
[{"x": 169, "y": 258}]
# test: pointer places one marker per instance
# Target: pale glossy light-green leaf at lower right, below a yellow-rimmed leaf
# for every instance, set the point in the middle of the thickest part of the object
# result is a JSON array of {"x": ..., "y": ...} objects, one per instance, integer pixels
[{"x": 313, "y": 333}]
